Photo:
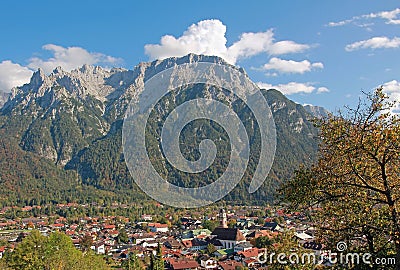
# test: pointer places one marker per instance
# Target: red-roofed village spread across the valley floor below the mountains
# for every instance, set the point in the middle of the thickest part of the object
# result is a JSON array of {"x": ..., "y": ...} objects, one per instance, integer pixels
[{"x": 223, "y": 239}]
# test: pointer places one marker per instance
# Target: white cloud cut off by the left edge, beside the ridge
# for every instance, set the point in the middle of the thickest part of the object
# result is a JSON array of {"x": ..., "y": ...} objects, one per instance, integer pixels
[{"x": 12, "y": 74}]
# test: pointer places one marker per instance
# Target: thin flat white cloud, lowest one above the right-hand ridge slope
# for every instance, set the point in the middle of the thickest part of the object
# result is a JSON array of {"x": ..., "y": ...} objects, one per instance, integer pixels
[{"x": 293, "y": 88}]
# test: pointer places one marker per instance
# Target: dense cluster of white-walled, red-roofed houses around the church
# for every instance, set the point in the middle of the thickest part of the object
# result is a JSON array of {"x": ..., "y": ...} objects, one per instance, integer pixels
[{"x": 188, "y": 246}]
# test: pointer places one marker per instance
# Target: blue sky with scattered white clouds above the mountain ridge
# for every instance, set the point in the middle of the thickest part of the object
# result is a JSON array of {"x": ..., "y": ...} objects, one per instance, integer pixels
[{"x": 317, "y": 52}]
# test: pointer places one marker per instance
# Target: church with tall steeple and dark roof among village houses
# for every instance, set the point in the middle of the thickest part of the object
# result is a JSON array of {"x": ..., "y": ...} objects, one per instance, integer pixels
[{"x": 229, "y": 237}]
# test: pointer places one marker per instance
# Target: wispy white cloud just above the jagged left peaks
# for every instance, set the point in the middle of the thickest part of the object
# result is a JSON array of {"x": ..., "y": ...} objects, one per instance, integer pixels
[{"x": 70, "y": 58}]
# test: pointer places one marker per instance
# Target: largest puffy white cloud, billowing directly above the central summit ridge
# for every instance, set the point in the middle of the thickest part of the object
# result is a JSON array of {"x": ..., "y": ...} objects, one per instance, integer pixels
[{"x": 208, "y": 37}]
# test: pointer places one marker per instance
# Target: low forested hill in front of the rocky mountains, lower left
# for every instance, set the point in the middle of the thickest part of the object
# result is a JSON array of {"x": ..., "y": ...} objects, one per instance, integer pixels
[{"x": 25, "y": 178}]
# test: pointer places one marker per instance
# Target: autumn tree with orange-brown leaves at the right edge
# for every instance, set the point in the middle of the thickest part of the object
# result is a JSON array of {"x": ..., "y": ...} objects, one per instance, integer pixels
[{"x": 353, "y": 189}]
